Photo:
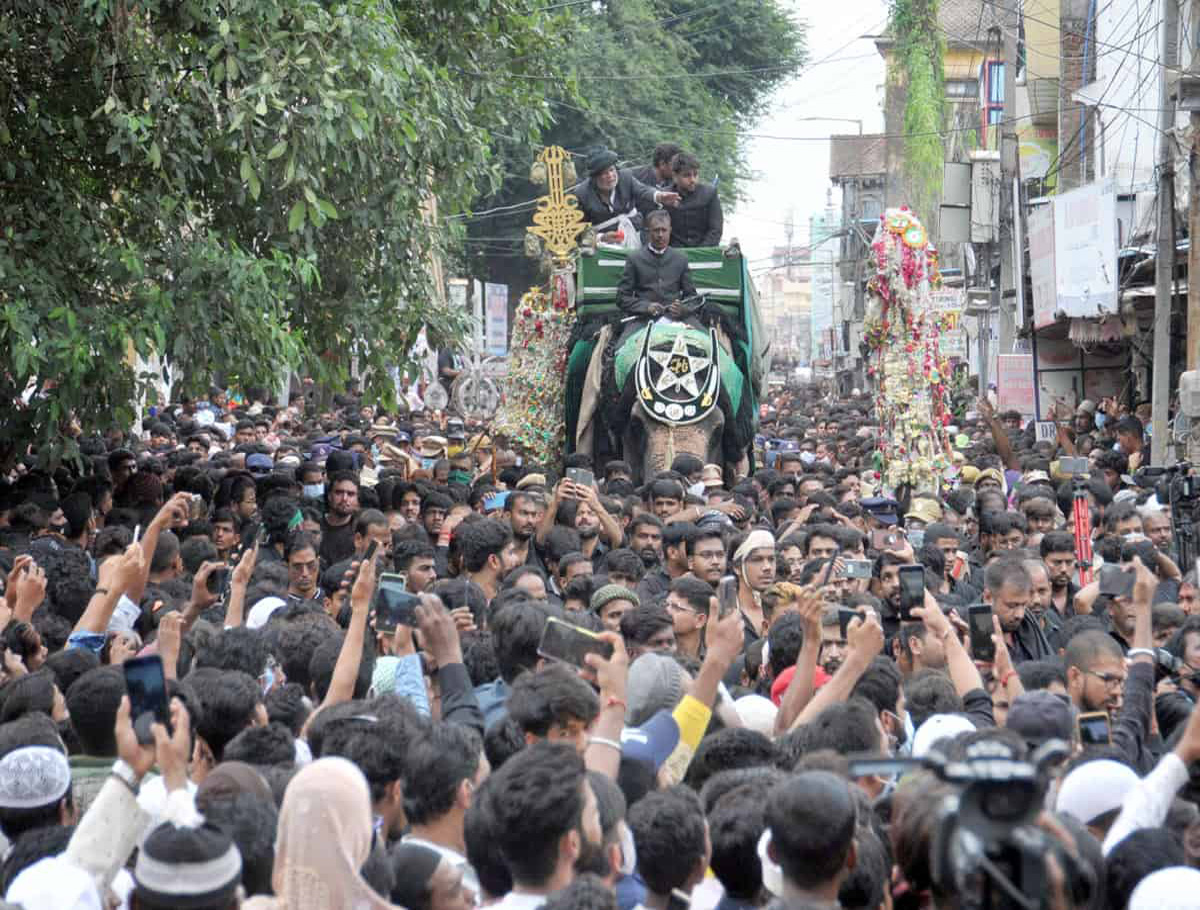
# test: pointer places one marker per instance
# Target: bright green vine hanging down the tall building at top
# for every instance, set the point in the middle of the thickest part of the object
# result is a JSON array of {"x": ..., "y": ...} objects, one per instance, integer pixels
[{"x": 920, "y": 51}]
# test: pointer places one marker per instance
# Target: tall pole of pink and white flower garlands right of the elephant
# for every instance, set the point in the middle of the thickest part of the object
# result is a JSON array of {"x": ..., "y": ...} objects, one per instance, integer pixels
[{"x": 913, "y": 378}]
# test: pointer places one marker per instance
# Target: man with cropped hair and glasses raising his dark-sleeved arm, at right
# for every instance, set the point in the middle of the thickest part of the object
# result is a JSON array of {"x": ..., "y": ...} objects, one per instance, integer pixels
[{"x": 1097, "y": 679}]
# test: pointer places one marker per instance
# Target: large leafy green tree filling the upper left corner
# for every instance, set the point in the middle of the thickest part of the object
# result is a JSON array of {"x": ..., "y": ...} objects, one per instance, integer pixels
[{"x": 239, "y": 187}]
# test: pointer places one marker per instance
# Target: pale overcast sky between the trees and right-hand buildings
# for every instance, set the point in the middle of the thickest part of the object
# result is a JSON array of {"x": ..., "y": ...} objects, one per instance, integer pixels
[{"x": 844, "y": 80}]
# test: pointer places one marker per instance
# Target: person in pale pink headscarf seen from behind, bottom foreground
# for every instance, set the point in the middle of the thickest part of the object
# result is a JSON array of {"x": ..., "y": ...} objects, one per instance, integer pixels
[{"x": 323, "y": 841}]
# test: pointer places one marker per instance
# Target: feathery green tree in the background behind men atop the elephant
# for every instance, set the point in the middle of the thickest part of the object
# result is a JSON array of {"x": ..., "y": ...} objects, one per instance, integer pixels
[{"x": 695, "y": 73}]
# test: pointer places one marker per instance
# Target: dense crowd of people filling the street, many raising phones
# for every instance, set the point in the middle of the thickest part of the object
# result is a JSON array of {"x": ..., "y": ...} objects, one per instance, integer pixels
[{"x": 609, "y": 691}]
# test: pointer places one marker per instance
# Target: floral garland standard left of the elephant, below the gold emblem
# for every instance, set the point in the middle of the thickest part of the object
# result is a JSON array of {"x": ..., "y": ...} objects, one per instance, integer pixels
[{"x": 532, "y": 416}]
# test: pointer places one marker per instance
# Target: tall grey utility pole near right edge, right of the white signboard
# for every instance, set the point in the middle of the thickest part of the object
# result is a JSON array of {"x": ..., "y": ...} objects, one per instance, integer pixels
[{"x": 1166, "y": 255}]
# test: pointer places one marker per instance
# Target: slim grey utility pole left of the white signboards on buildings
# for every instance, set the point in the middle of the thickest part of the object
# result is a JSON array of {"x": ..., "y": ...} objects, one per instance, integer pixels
[{"x": 1010, "y": 176}]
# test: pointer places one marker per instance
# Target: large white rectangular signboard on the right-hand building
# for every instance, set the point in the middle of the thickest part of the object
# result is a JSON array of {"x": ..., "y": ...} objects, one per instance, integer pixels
[{"x": 1085, "y": 234}]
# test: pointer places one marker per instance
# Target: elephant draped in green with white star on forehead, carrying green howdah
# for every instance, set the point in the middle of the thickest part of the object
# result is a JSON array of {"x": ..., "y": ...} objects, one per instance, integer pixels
[{"x": 651, "y": 392}]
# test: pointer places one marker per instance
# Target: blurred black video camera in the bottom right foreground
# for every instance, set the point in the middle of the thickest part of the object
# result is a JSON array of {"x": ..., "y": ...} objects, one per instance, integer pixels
[{"x": 987, "y": 849}]
